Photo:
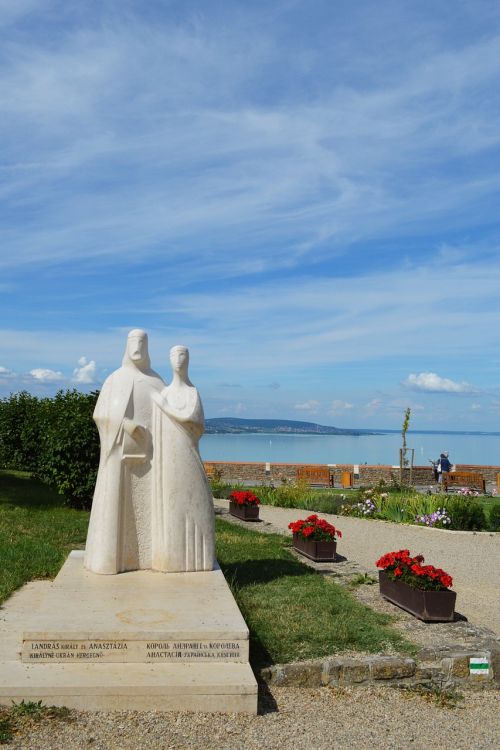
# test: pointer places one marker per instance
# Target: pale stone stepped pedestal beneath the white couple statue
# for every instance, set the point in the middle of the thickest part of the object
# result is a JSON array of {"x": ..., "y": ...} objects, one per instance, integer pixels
[{"x": 138, "y": 640}]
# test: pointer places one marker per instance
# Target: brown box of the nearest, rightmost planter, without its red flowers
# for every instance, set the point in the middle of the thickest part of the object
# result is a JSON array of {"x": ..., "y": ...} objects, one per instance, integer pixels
[{"x": 430, "y": 606}]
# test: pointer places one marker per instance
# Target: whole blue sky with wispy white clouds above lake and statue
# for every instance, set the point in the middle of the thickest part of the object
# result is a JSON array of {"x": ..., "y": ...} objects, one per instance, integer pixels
[{"x": 304, "y": 193}]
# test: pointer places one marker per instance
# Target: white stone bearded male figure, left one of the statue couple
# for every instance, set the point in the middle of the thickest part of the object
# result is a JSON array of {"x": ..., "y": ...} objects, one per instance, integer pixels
[{"x": 119, "y": 536}]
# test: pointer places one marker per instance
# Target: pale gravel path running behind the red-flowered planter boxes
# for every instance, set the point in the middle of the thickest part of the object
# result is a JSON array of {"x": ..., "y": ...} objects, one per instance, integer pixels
[{"x": 472, "y": 559}]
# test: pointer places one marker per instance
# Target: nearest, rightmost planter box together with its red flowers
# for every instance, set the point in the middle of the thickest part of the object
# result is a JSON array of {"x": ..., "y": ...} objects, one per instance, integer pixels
[{"x": 422, "y": 590}]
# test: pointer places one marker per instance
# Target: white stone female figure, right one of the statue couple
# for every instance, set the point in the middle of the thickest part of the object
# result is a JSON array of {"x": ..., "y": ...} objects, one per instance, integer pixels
[{"x": 182, "y": 512}]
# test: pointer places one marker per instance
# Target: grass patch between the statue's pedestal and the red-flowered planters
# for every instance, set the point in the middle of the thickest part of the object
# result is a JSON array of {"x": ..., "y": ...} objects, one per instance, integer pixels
[{"x": 293, "y": 612}]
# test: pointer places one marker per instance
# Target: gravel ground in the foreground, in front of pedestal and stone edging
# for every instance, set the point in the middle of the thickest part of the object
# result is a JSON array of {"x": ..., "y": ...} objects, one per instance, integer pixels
[{"x": 305, "y": 719}]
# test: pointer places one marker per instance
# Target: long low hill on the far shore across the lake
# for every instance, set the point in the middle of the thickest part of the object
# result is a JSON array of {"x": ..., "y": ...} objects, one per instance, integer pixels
[{"x": 278, "y": 426}]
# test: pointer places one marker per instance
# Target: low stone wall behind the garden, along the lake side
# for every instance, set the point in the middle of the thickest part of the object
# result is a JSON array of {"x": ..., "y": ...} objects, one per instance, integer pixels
[{"x": 262, "y": 473}]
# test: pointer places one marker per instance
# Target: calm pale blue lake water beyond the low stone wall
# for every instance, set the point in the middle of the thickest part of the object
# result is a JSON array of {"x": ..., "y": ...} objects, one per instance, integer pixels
[{"x": 339, "y": 449}]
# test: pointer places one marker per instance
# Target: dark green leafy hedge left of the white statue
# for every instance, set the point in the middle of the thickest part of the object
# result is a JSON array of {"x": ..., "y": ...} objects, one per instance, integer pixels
[{"x": 53, "y": 438}]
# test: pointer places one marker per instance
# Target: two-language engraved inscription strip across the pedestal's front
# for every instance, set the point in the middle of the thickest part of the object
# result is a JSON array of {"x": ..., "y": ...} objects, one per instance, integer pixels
[{"x": 133, "y": 651}]
